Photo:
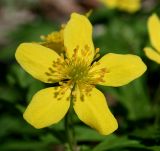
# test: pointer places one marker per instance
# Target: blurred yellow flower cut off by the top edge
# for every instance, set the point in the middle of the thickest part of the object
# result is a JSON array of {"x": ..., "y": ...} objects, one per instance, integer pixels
[{"x": 130, "y": 6}]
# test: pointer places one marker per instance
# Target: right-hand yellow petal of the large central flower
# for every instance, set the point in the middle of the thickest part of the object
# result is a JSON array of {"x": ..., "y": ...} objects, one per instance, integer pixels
[{"x": 120, "y": 69}]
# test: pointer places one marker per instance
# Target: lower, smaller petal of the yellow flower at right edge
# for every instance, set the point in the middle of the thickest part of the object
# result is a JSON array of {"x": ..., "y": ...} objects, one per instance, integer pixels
[{"x": 152, "y": 54}]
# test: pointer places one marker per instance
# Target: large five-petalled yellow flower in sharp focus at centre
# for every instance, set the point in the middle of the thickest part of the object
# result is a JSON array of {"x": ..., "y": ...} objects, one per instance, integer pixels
[{"x": 78, "y": 76}]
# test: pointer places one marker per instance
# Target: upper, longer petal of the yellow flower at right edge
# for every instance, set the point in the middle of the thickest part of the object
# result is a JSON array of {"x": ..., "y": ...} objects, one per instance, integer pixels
[{"x": 154, "y": 31}]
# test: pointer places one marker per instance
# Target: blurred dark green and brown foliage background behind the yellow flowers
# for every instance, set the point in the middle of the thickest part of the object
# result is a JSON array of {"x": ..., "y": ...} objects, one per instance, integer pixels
[{"x": 136, "y": 105}]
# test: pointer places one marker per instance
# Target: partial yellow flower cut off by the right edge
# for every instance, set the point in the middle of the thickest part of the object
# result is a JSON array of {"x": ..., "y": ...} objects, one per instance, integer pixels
[{"x": 154, "y": 33}]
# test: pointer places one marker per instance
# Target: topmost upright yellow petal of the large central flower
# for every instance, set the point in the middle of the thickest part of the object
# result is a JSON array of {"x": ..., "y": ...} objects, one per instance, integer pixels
[{"x": 78, "y": 33}]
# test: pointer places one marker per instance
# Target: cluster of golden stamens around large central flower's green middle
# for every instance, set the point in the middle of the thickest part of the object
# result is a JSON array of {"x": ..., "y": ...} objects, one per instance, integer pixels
[{"x": 77, "y": 71}]
